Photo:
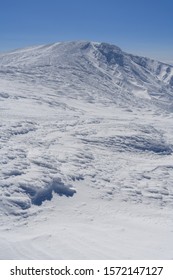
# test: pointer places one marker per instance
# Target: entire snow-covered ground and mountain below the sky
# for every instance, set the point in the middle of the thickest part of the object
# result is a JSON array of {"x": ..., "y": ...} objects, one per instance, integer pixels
[{"x": 86, "y": 163}]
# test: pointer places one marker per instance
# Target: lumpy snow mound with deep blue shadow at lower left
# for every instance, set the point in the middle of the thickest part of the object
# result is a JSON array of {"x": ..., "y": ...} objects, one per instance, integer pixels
[{"x": 21, "y": 197}]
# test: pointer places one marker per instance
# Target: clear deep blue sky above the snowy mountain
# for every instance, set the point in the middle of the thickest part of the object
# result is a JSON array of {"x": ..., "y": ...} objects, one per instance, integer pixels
[{"x": 138, "y": 26}]
